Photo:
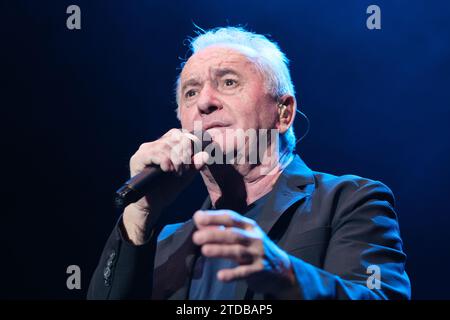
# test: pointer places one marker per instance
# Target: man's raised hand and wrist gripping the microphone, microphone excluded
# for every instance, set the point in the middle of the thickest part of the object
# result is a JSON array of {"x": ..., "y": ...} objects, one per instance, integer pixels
[{"x": 172, "y": 153}]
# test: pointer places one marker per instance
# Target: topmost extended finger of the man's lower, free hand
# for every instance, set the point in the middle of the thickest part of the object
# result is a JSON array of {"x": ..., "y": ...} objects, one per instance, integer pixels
[{"x": 226, "y": 218}]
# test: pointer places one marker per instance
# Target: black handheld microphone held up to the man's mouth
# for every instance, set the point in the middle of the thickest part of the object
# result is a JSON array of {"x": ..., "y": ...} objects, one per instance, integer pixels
[{"x": 136, "y": 187}]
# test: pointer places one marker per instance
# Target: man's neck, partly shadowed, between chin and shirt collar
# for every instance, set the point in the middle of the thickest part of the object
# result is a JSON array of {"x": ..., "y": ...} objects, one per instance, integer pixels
[{"x": 236, "y": 186}]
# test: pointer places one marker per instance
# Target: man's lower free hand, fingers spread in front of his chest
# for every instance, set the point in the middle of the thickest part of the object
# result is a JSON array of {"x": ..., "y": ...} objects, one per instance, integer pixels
[{"x": 227, "y": 234}]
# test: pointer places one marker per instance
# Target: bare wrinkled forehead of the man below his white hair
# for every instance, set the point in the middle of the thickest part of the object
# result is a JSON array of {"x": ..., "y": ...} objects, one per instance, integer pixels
[{"x": 216, "y": 57}]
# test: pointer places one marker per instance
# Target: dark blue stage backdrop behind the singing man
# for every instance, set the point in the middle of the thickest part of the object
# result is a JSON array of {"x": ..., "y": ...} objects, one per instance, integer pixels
[{"x": 77, "y": 104}]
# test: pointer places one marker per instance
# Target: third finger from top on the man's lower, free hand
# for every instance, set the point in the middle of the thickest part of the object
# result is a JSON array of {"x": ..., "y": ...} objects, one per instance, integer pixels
[{"x": 236, "y": 252}]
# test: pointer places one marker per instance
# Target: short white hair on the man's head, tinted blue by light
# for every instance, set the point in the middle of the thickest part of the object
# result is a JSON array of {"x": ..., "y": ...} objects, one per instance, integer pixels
[{"x": 266, "y": 55}]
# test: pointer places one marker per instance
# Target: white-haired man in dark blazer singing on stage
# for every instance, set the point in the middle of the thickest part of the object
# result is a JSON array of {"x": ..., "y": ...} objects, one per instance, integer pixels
[{"x": 269, "y": 229}]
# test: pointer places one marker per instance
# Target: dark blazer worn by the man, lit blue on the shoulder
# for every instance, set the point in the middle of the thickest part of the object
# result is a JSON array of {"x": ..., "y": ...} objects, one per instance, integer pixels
[{"x": 333, "y": 227}]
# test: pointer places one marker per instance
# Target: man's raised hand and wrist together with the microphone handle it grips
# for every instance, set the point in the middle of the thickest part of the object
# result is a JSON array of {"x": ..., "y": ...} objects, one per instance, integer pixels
[{"x": 160, "y": 170}]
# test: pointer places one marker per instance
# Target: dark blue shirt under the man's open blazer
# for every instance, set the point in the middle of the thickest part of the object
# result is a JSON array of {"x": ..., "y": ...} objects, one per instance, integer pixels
[{"x": 204, "y": 284}]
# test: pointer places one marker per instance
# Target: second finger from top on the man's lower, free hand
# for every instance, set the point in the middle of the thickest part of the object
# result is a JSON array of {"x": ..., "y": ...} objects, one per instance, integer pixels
[{"x": 226, "y": 236}]
